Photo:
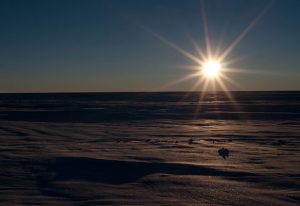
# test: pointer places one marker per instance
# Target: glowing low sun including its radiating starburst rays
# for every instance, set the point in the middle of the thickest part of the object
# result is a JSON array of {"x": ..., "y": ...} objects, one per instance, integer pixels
[{"x": 212, "y": 63}]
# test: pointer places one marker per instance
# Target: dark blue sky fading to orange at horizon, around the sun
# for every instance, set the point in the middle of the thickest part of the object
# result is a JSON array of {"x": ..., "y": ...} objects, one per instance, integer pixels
[{"x": 110, "y": 45}]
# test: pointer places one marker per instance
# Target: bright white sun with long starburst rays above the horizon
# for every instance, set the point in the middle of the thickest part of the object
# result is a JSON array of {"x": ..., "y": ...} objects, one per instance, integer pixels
[{"x": 212, "y": 64}]
